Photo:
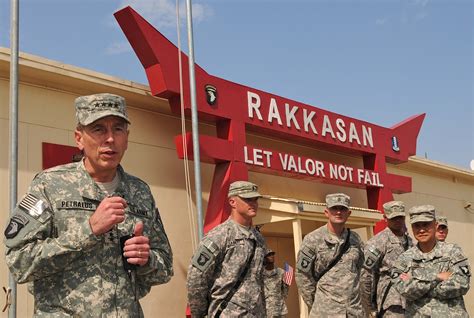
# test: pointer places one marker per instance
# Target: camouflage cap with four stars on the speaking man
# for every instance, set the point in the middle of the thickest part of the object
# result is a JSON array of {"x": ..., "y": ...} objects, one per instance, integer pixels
[{"x": 93, "y": 107}]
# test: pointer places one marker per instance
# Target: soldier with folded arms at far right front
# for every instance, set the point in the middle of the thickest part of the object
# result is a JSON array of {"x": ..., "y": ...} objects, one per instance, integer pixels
[{"x": 433, "y": 276}]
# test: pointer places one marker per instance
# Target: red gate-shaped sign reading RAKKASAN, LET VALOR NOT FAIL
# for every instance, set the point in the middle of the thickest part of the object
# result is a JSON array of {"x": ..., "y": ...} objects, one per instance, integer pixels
[{"x": 237, "y": 109}]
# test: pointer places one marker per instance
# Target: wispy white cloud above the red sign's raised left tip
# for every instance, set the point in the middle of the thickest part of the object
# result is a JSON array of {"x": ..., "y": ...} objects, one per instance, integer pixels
[{"x": 162, "y": 13}]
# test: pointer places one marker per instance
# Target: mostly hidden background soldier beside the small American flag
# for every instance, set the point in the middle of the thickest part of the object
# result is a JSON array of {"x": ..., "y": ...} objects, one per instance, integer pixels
[{"x": 276, "y": 290}]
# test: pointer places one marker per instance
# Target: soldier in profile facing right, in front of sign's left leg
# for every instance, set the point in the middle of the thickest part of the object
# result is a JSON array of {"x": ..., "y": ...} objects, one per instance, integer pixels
[{"x": 226, "y": 272}]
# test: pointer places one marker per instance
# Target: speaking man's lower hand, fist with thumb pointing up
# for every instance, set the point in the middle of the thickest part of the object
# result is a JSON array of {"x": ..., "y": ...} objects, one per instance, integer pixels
[{"x": 137, "y": 248}]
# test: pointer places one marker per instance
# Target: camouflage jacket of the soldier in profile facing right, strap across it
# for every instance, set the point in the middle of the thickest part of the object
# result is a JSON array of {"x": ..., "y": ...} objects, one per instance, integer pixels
[{"x": 217, "y": 265}]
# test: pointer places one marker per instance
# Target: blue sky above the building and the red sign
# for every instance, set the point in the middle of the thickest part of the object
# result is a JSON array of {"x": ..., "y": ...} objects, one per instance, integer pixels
[{"x": 376, "y": 60}]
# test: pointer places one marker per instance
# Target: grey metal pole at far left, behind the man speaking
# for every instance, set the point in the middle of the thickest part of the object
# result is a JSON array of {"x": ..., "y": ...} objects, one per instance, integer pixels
[{"x": 13, "y": 160}]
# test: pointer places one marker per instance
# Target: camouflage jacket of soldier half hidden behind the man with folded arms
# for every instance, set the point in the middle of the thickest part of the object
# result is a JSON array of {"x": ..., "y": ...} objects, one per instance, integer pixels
[{"x": 381, "y": 252}]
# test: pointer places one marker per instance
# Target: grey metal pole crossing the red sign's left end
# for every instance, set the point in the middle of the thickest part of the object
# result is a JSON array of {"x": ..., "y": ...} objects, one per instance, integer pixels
[{"x": 194, "y": 120}]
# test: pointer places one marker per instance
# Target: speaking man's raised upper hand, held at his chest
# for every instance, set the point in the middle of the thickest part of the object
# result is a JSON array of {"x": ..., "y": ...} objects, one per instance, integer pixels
[{"x": 110, "y": 211}]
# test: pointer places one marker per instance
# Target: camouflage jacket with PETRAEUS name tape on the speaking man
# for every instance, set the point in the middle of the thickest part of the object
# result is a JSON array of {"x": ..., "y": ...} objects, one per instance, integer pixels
[{"x": 73, "y": 272}]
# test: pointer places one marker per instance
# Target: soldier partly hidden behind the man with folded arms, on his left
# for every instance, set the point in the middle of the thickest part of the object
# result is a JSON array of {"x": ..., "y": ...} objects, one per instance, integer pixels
[{"x": 381, "y": 252}]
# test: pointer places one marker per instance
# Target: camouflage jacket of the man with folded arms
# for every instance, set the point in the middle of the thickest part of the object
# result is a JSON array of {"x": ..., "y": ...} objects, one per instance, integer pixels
[{"x": 426, "y": 296}]
